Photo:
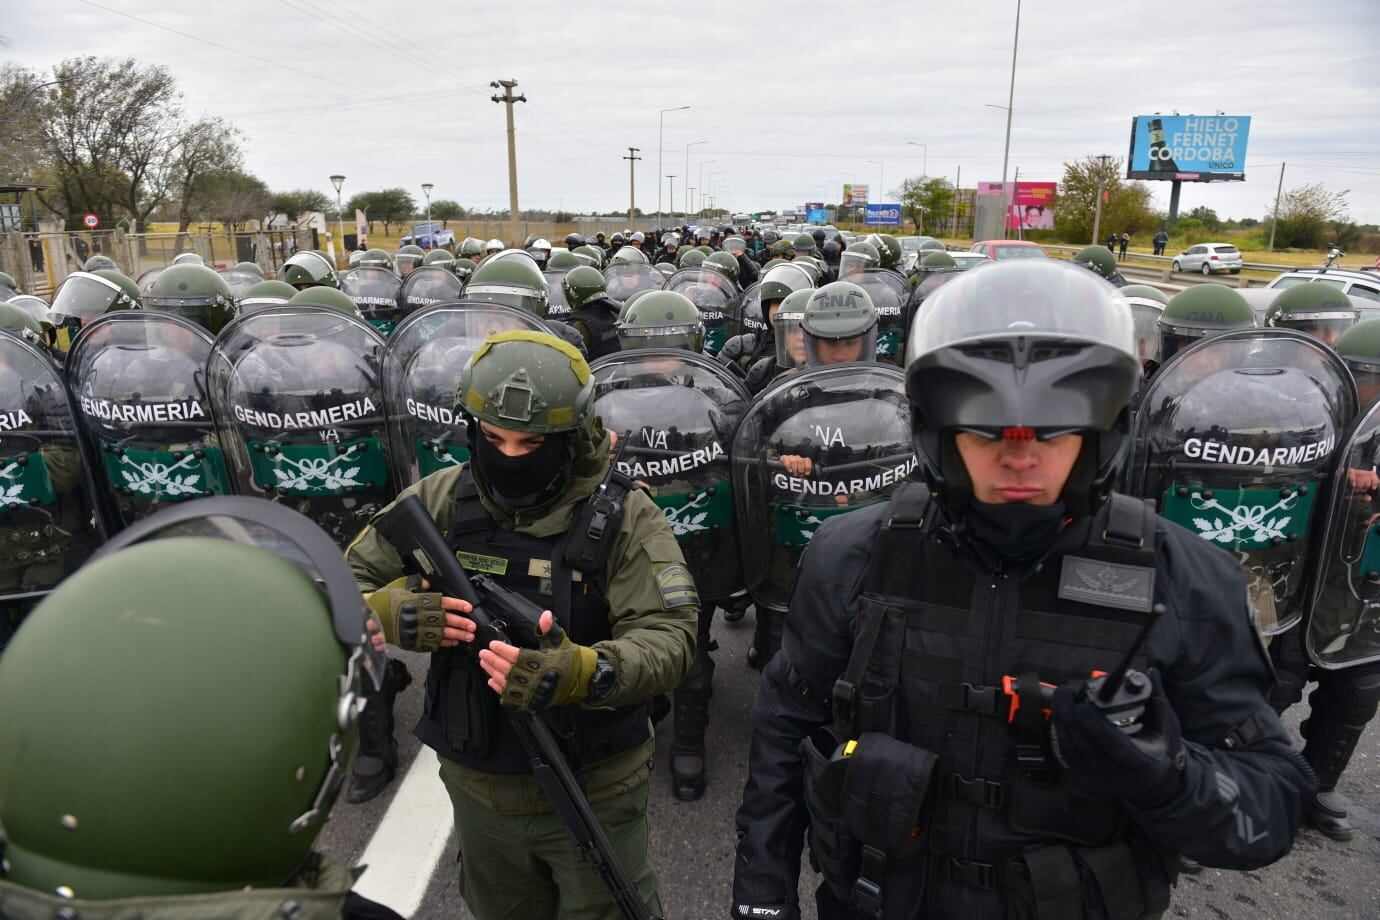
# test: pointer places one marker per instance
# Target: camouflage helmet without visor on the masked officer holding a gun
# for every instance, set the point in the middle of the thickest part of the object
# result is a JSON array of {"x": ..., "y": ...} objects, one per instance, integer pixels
[{"x": 525, "y": 381}]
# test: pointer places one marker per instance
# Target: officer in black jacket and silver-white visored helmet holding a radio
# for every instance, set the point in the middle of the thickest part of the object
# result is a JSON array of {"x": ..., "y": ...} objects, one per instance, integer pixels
[{"x": 940, "y": 779}]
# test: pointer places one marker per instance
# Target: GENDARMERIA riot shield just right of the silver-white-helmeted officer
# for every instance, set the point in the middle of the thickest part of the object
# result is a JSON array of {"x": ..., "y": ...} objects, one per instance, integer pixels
[{"x": 1236, "y": 441}]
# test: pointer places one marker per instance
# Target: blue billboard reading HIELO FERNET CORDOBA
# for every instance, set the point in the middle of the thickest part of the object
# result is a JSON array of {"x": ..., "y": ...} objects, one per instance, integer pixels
[{"x": 1189, "y": 148}]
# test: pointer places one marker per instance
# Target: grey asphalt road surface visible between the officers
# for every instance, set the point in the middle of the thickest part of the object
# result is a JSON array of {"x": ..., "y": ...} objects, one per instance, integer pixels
[{"x": 693, "y": 842}]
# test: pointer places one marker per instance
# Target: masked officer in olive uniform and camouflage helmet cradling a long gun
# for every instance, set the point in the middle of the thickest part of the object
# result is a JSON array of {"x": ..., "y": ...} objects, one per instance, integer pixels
[{"x": 521, "y": 510}]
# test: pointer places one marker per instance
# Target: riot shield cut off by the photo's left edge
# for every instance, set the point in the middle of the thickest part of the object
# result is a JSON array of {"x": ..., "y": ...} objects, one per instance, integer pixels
[{"x": 49, "y": 522}]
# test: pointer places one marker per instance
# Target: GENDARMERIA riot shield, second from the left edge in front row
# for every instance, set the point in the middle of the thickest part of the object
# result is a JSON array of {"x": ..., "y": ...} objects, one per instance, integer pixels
[{"x": 140, "y": 386}]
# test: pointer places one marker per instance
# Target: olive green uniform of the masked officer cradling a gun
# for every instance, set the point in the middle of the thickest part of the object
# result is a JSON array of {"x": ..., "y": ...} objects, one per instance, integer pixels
[{"x": 517, "y": 860}]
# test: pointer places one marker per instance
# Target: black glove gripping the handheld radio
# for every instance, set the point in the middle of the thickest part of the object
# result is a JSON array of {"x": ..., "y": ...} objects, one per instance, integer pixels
[{"x": 1103, "y": 762}]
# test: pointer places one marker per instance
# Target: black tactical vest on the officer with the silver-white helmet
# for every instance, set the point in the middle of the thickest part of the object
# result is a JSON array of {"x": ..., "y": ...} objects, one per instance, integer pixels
[{"x": 994, "y": 834}]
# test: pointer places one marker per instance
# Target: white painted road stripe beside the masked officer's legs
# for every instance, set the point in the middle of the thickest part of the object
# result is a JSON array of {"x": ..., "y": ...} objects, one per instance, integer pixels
[{"x": 405, "y": 850}]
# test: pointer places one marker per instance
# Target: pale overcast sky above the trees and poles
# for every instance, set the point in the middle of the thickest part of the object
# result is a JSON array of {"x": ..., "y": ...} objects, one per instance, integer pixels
[{"x": 791, "y": 99}]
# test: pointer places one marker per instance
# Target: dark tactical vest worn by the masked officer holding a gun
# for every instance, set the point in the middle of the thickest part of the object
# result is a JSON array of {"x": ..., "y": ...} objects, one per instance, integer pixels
[{"x": 463, "y": 719}]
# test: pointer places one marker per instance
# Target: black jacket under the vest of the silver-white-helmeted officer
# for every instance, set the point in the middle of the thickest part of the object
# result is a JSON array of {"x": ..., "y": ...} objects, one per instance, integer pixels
[{"x": 1214, "y": 668}]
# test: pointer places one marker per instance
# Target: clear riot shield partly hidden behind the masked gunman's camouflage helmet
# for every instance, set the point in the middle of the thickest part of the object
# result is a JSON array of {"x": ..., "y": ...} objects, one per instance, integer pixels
[{"x": 422, "y": 368}]
